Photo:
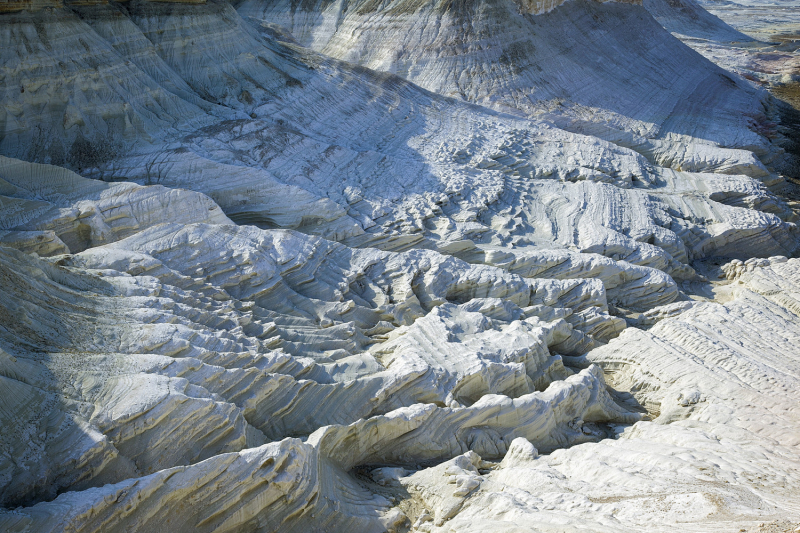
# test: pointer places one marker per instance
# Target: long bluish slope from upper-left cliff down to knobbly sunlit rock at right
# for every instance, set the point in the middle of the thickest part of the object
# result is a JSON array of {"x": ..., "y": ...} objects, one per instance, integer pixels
[{"x": 390, "y": 165}]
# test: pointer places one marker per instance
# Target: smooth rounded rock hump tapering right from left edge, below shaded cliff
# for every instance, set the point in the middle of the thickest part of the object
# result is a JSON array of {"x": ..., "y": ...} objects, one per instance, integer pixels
[{"x": 49, "y": 210}]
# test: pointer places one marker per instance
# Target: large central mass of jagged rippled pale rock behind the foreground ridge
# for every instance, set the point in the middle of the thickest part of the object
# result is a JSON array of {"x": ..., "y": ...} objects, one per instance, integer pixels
[{"x": 243, "y": 333}]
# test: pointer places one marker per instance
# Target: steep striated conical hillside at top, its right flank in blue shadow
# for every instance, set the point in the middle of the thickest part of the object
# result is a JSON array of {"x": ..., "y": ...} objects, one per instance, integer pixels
[{"x": 607, "y": 69}]
